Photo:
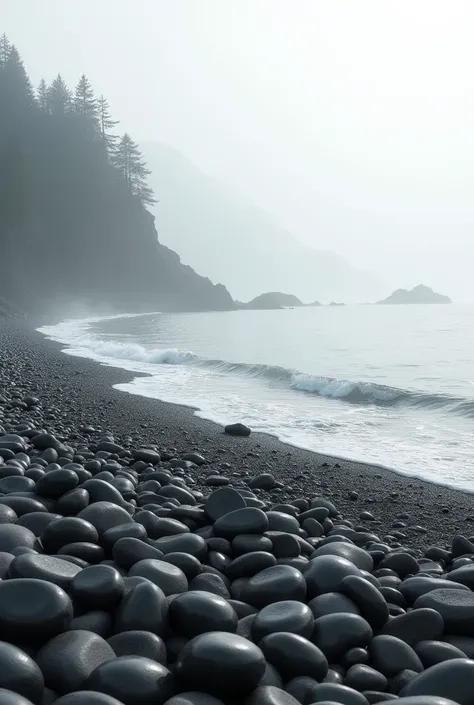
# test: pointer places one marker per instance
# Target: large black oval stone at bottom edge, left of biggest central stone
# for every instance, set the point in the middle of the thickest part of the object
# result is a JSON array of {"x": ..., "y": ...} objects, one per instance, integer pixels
[{"x": 135, "y": 680}]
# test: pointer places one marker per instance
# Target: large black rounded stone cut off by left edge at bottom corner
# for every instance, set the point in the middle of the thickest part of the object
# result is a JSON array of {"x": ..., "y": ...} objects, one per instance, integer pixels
[{"x": 19, "y": 673}]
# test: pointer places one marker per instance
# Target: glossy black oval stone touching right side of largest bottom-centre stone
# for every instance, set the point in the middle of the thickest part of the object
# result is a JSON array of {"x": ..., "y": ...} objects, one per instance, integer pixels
[{"x": 293, "y": 655}]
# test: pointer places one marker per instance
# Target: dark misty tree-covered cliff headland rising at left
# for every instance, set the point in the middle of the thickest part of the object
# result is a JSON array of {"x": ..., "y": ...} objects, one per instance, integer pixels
[{"x": 71, "y": 228}]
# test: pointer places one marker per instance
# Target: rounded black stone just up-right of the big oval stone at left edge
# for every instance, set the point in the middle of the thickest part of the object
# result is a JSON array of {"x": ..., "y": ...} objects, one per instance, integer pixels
[{"x": 99, "y": 587}]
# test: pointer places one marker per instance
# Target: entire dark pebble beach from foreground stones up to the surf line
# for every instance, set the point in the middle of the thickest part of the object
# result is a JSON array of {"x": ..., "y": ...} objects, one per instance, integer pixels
[{"x": 147, "y": 557}]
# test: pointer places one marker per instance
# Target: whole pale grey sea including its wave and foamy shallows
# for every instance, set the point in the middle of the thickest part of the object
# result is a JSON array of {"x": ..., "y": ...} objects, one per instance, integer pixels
[{"x": 388, "y": 385}]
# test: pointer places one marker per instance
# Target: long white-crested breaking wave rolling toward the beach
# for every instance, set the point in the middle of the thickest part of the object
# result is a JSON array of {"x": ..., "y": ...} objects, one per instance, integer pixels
[{"x": 348, "y": 391}]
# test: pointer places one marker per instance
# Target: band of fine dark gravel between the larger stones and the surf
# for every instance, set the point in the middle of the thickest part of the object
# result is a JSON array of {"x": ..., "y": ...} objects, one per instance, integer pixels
[{"x": 78, "y": 391}]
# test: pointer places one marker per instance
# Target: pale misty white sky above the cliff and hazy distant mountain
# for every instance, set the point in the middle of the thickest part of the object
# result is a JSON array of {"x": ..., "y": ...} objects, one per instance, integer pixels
[{"x": 351, "y": 121}]
